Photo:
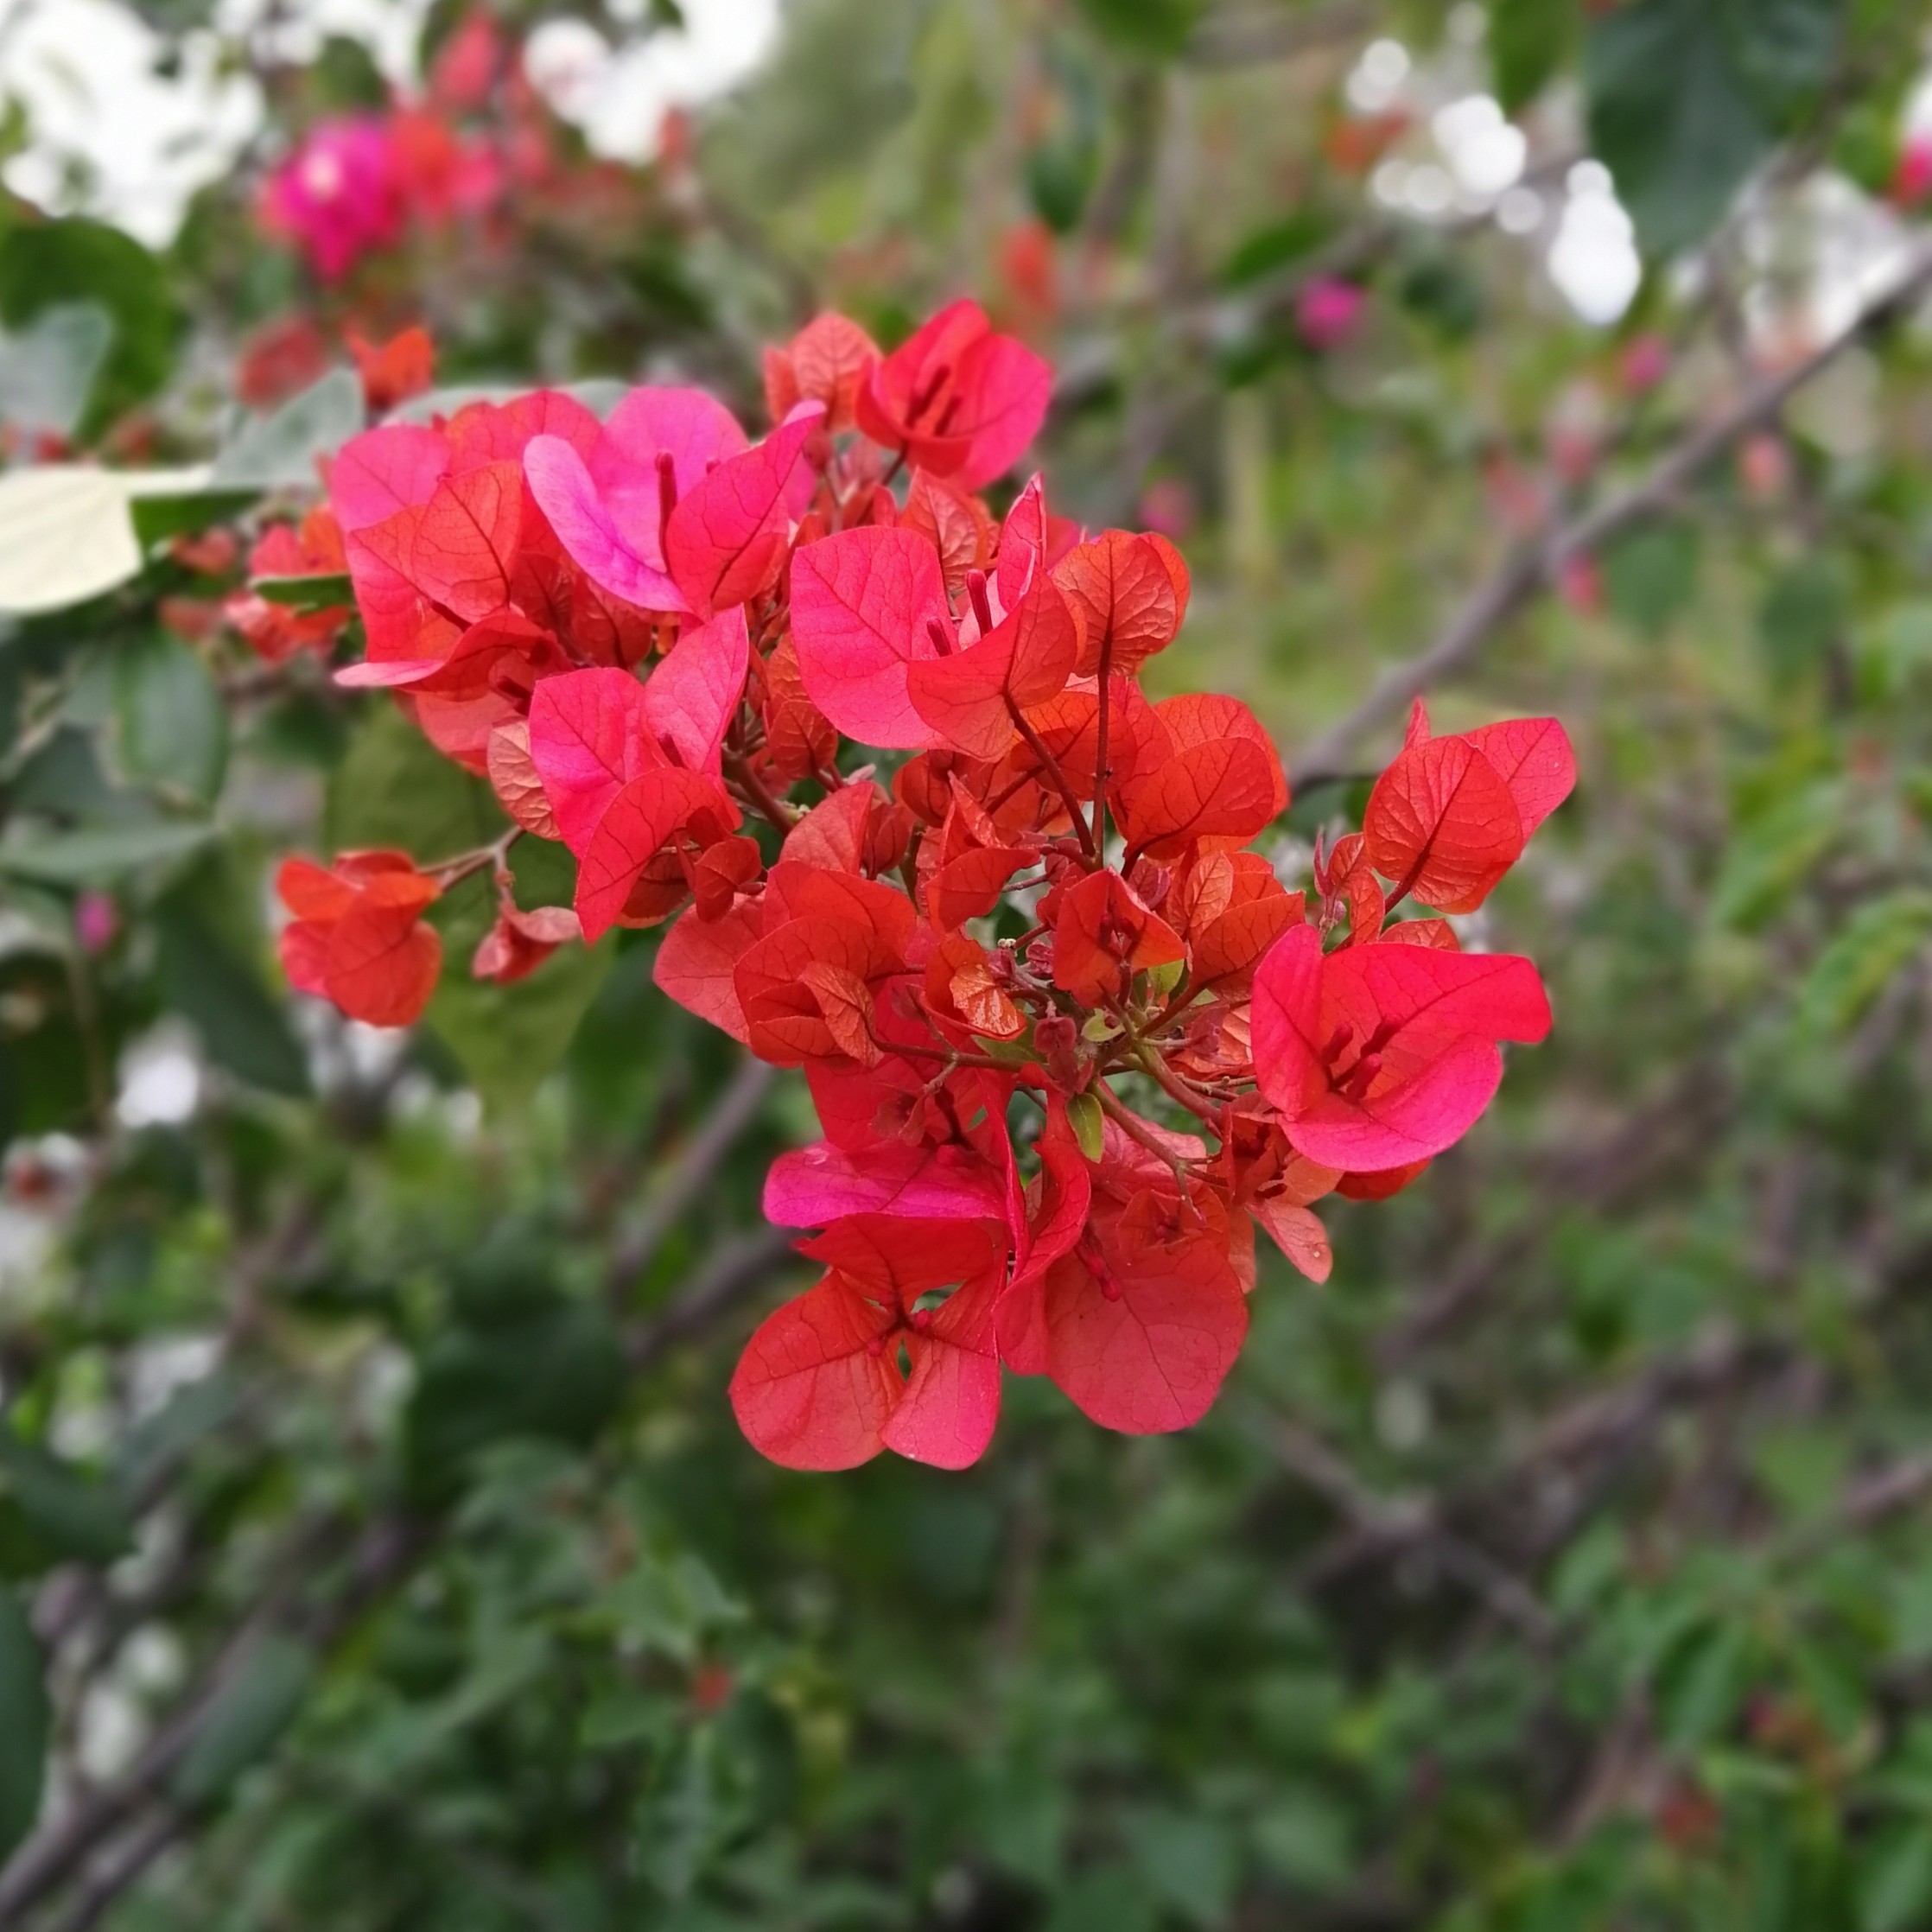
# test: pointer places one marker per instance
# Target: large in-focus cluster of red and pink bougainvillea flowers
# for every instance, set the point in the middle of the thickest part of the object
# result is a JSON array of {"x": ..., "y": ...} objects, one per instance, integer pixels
[{"x": 1069, "y": 1035}]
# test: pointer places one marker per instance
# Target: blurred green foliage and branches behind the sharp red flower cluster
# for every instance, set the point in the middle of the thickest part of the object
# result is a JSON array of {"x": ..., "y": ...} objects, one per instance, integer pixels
[{"x": 378, "y": 1545}]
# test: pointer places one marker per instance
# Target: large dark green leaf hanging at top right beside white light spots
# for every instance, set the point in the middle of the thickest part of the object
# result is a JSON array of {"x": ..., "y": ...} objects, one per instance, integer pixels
[{"x": 1688, "y": 96}]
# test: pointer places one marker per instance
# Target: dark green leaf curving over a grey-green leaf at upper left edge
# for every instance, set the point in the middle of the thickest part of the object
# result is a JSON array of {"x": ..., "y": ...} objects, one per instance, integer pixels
[{"x": 47, "y": 266}]
